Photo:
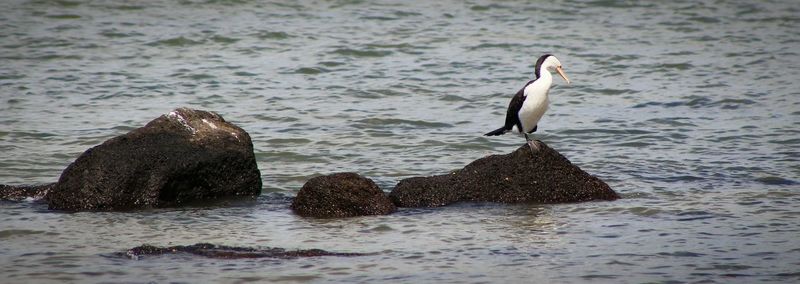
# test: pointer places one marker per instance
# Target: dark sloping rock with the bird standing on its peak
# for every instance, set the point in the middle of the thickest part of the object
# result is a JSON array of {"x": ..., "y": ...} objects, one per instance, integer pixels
[{"x": 544, "y": 176}]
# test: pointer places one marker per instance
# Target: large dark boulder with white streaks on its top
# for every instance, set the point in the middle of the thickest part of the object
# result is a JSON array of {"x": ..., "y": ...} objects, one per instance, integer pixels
[{"x": 181, "y": 157}]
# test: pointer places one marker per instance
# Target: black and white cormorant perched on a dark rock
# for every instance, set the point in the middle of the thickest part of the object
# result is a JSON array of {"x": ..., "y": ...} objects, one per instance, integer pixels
[{"x": 529, "y": 104}]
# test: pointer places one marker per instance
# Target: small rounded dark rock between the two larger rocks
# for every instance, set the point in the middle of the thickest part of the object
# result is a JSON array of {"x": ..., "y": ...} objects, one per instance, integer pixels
[{"x": 341, "y": 195}]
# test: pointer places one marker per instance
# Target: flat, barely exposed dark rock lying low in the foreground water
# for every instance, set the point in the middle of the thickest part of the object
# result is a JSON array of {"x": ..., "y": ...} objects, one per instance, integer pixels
[{"x": 227, "y": 252}]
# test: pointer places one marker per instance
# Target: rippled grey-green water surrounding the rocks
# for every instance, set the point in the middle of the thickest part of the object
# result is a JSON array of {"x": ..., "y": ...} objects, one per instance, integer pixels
[{"x": 691, "y": 111}]
